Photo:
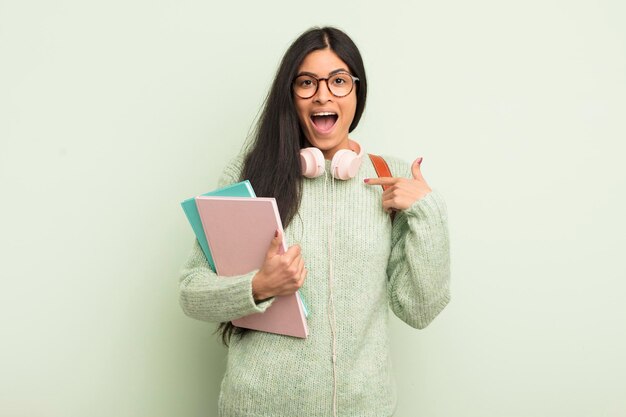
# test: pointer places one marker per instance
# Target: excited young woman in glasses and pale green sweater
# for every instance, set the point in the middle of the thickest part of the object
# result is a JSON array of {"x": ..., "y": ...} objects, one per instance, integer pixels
[{"x": 351, "y": 261}]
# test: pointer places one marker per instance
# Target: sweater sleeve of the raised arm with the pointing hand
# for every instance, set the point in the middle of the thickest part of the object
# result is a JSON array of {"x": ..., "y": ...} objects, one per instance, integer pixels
[{"x": 419, "y": 263}]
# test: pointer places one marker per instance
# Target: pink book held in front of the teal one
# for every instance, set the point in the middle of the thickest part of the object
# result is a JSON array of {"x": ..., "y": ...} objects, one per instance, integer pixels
[{"x": 239, "y": 231}]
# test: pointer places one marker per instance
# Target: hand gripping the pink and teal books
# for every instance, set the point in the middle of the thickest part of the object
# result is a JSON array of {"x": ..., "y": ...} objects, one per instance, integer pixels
[{"x": 280, "y": 274}]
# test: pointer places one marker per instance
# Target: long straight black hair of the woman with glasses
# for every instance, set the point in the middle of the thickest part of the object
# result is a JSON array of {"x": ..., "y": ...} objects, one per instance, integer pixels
[{"x": 272, "y": 163}]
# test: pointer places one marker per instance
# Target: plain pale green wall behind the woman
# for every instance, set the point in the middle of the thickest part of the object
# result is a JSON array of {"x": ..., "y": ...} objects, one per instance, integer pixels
[{"x": 111, "y": 113}]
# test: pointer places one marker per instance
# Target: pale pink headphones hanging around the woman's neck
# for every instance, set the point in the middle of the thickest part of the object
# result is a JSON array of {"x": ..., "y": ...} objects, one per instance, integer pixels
[{"x": 345, "y": 163}]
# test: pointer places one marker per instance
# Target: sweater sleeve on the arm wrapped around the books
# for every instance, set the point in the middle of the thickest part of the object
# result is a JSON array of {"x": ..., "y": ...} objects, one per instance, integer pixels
[{"x": 203, "y": 294}]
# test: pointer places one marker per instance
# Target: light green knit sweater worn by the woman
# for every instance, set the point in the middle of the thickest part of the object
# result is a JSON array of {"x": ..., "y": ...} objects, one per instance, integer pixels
[{"x": 376, "y": 266}]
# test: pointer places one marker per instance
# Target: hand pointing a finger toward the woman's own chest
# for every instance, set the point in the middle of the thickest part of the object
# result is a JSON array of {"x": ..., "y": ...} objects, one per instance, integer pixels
[{"x": 400, "y": 193}]
